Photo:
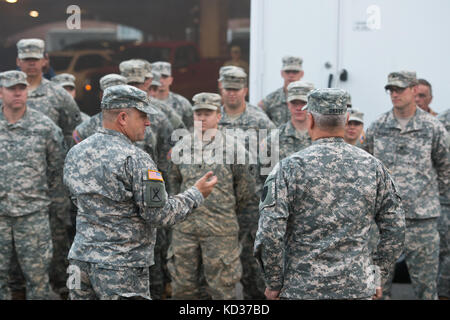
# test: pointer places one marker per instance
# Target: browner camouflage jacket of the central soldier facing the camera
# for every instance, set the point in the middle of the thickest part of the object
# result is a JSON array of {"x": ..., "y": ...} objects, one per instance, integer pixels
[{"x": 217, "y": 216}]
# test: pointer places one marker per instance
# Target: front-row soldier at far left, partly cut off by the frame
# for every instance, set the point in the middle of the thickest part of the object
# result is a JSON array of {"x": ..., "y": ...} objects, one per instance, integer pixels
[{"x": 31, "y": 161}]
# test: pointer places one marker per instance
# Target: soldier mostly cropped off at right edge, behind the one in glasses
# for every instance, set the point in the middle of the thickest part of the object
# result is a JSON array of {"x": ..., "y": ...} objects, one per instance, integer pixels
[{"x": 443, "y": 225}]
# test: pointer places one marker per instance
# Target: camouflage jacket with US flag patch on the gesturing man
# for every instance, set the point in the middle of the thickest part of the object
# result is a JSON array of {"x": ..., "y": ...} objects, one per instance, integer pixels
[{"x": 121, "y": 198}]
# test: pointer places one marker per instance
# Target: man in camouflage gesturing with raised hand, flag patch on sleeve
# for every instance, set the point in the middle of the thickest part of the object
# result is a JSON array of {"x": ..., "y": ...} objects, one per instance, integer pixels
[{"x": 120, "y": 198}]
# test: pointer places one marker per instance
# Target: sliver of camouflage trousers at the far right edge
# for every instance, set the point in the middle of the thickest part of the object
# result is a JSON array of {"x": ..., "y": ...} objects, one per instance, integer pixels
[{"x": 444, "y": 253}]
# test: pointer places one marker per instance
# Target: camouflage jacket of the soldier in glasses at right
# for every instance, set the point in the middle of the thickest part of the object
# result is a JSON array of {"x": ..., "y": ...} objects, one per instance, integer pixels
[{"x": 417, "y": 157}]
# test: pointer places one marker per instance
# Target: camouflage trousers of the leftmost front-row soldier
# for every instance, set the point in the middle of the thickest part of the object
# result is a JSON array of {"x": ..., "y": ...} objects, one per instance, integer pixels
[{"x": 29, "y": 238}]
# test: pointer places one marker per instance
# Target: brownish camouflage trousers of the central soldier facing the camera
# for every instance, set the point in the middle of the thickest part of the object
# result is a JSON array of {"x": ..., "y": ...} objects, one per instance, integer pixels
[{"x": 219, "y": 256}]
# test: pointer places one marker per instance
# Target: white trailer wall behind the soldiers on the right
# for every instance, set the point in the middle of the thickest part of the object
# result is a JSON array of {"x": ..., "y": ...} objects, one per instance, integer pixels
[{"x": 367, "y": 38}]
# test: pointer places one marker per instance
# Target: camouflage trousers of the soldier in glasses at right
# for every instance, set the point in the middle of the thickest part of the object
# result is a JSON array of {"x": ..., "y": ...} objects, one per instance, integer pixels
[{"x": 422, "y": 258}]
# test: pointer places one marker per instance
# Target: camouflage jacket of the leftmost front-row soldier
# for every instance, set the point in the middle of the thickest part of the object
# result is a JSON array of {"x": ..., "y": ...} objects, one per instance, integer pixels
[{"x": 31, "y": 163}]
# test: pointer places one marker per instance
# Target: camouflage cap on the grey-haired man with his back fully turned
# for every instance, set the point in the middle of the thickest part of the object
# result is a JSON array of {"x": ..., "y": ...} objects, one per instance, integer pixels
[{"x": 330, "y": 101}]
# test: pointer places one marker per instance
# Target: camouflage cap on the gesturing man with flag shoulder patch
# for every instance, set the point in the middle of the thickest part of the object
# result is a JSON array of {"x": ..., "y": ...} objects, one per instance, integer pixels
[{"x": 124, "y": 96}]
